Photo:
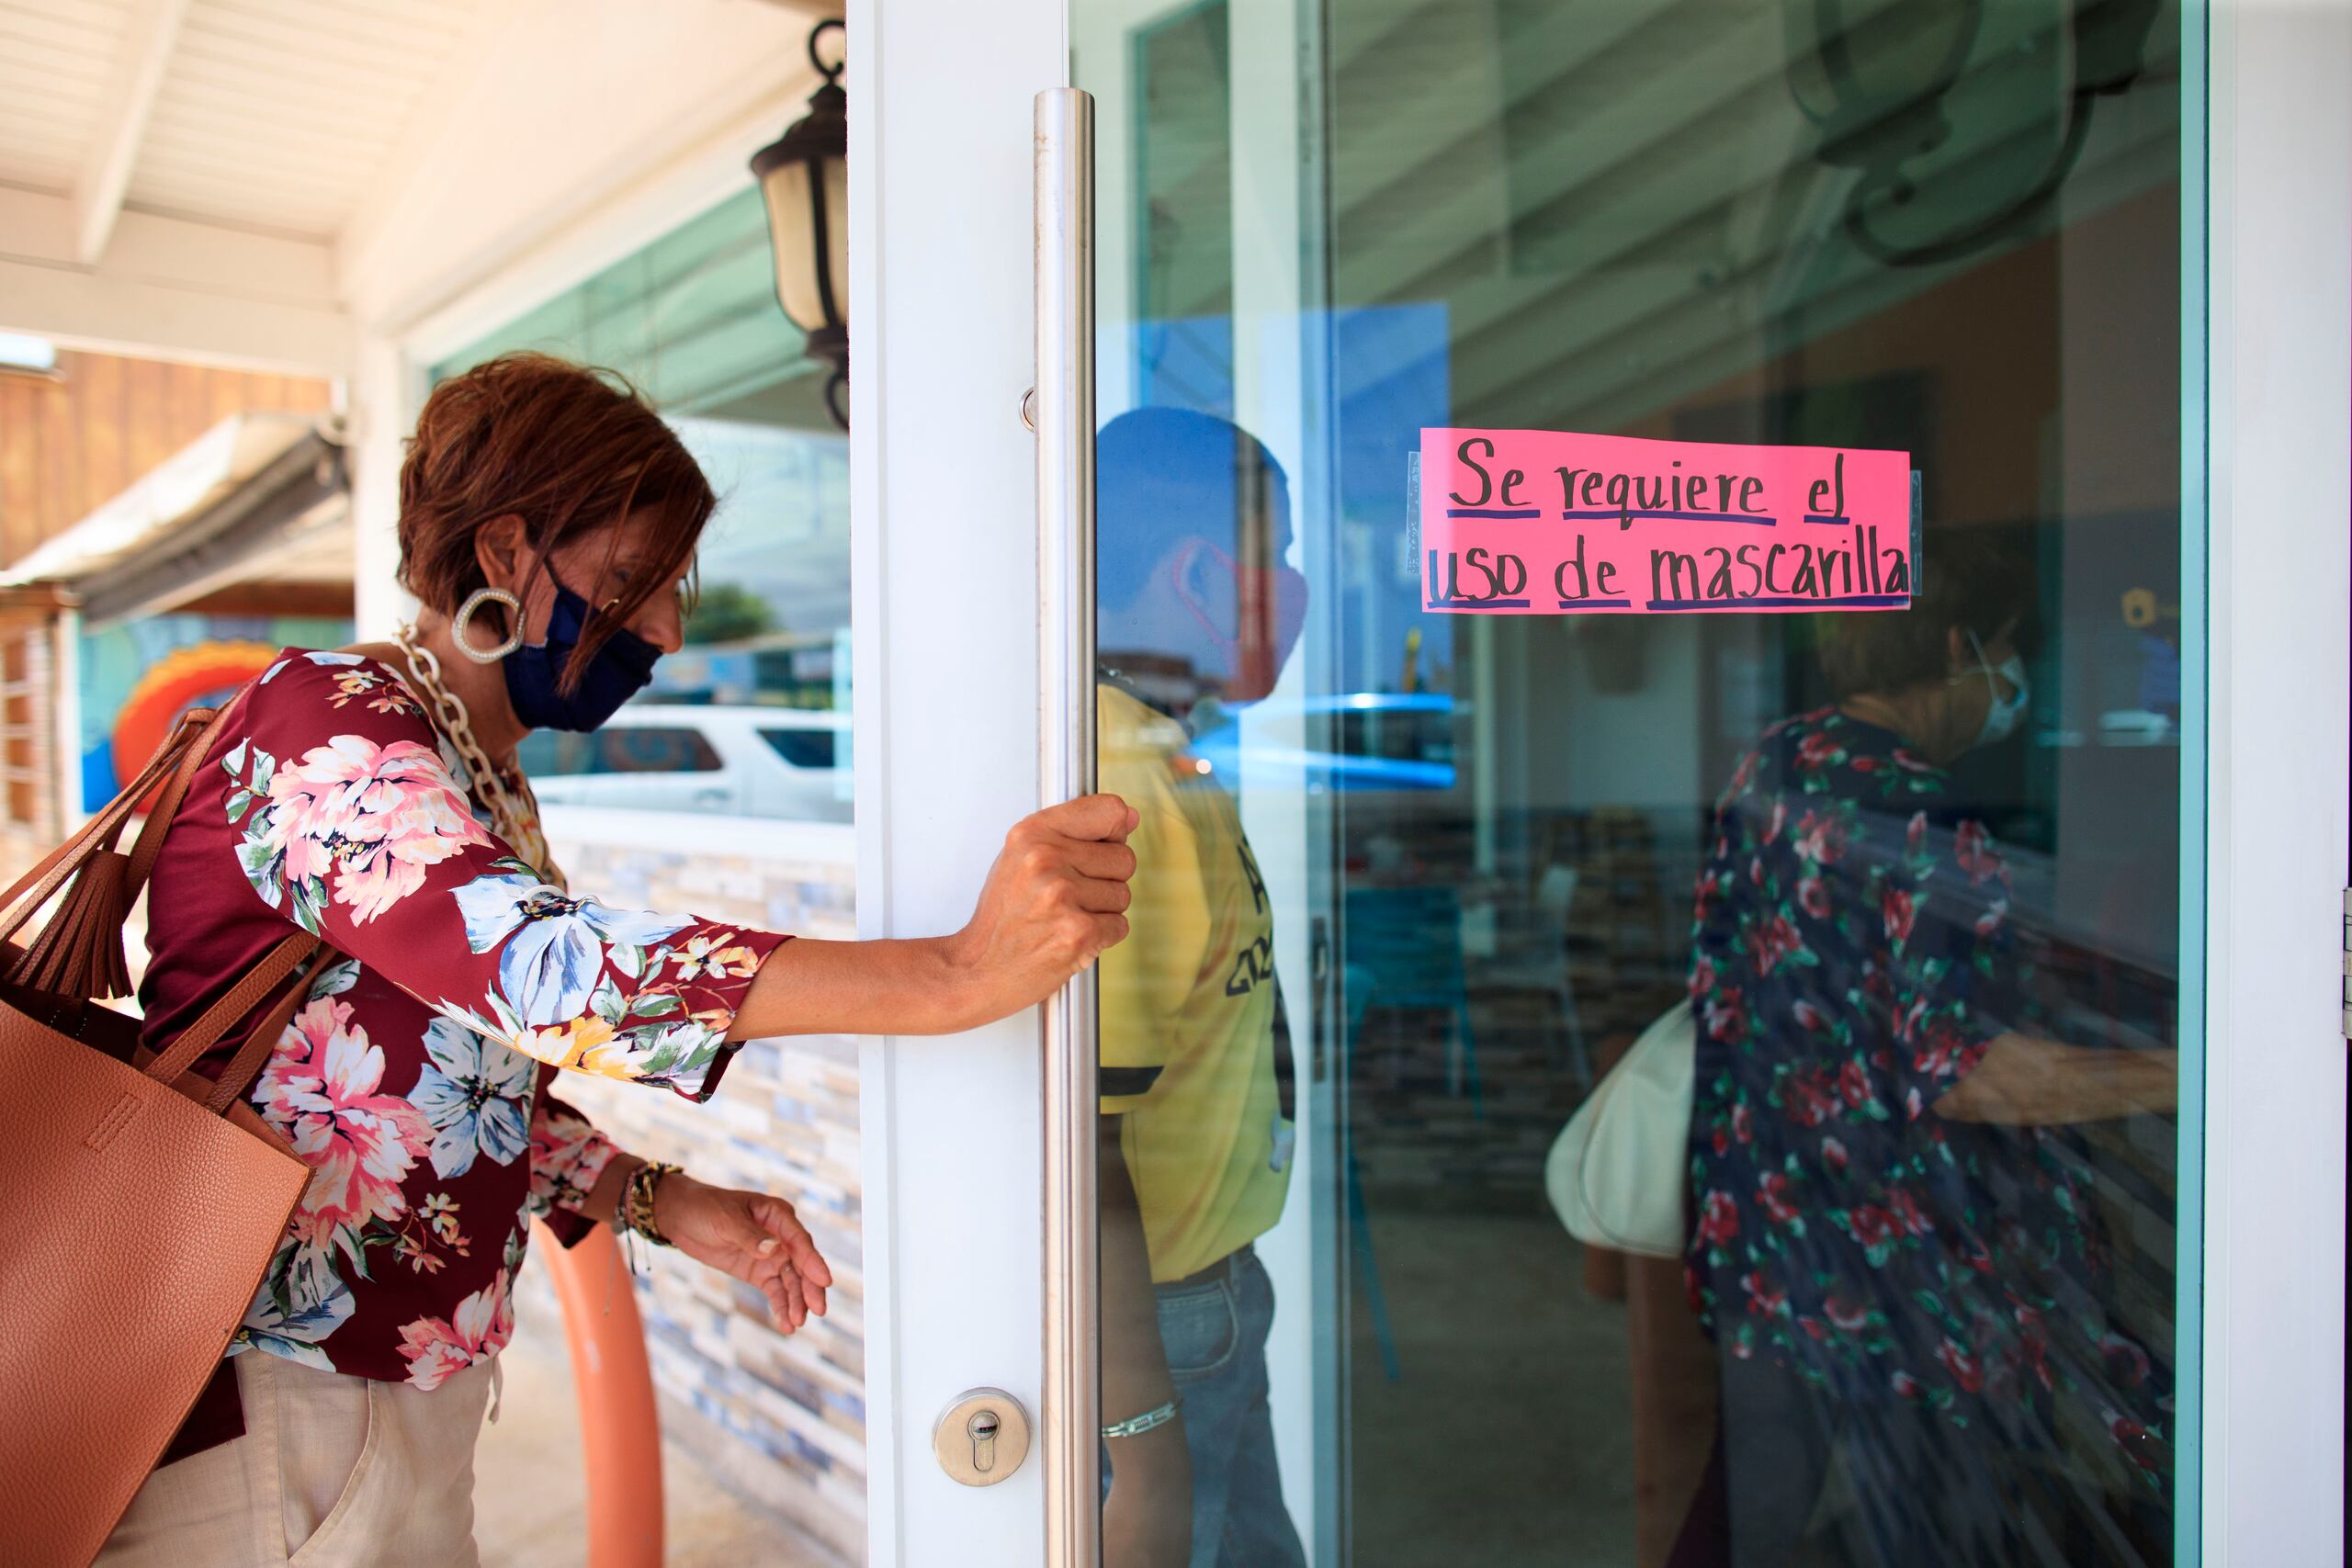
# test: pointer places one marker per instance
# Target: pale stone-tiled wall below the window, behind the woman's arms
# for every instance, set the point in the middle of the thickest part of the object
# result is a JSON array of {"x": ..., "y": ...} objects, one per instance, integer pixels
[{"x": 782, "y": 1419}]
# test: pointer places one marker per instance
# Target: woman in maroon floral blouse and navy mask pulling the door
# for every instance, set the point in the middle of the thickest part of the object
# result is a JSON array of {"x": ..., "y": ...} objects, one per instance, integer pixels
[{"x": 370, "y": 798}]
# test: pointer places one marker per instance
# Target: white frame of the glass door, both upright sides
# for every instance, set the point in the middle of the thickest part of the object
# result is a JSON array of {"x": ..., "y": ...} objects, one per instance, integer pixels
[{"x": 947, "y": 713}]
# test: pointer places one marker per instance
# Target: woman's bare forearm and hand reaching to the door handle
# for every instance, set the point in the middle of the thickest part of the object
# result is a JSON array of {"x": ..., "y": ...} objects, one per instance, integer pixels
[{"x": 1055, "y": 902}]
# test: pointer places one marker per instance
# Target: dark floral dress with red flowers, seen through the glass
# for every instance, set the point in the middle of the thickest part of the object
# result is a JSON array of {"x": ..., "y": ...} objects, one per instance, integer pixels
[{"x": 1855, "y": 956}]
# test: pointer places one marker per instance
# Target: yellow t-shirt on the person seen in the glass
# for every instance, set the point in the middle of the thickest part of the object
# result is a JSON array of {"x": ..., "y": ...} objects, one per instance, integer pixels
[{"x": 1189, "y": 1005}]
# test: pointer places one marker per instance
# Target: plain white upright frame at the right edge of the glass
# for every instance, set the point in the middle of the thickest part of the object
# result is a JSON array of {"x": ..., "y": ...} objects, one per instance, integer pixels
[{"x": 2280, "y": 272}]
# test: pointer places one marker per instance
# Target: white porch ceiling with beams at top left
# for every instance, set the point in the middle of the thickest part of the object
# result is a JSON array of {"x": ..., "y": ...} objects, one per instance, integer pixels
[{"x": 269, "y": 182}]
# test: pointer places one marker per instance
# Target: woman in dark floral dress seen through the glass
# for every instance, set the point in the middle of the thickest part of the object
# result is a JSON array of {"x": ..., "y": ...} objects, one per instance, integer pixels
[{"x": 1892, "y": 1245}]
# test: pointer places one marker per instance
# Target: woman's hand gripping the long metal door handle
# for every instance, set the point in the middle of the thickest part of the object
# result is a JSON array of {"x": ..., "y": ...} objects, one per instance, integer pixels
[{"x": 1053, "y": 904}]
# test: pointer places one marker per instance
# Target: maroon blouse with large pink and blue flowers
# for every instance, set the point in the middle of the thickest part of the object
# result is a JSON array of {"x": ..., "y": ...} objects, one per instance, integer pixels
[{"x": 415, "y": 1078}]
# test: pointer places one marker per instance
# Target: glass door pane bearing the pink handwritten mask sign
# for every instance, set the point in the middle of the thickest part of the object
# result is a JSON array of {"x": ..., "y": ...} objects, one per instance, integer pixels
[{"x": 1641, "y": 598}]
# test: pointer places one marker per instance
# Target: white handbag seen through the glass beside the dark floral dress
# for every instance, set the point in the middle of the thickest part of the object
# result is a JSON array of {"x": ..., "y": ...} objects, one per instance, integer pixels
[{"x": 1619, "y": 1170}]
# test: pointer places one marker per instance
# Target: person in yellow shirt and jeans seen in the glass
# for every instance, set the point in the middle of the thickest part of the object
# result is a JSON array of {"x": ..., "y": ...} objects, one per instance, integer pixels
[{"x": 1196, "y": 610}]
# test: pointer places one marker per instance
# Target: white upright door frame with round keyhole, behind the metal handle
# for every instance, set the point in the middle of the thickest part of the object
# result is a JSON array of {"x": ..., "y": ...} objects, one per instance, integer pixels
[{"x": 944, "y": 626}]
